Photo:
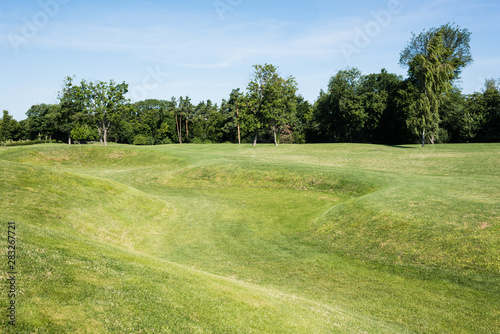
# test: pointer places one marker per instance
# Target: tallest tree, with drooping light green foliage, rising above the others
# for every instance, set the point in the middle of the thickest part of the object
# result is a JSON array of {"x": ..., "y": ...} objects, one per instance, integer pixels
[{"x": 434, "y": 58}]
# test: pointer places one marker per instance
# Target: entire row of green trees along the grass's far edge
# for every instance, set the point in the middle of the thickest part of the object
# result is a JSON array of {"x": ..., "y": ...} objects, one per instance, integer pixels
[{"x": 383, "y": 108}]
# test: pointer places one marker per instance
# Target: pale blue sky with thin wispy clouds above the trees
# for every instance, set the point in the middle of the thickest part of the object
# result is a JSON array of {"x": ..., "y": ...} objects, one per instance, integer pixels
[{"x": 206, "y": 48}]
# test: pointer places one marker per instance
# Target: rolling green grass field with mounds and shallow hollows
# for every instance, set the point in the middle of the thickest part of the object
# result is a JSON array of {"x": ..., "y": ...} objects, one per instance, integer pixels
[{"x": 334, "y": 238}]
